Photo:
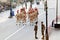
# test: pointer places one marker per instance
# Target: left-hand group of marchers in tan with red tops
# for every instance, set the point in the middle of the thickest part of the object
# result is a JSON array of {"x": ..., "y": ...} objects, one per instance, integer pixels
[{"x": 21, "y": 16}]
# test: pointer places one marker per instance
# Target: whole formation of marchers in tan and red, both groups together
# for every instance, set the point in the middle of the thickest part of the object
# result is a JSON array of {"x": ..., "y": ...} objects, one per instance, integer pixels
[{"x": 22, "y": 15}]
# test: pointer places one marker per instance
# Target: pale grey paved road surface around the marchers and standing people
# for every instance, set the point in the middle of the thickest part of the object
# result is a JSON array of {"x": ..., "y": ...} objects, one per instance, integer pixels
[{"x": 8, "y": 26}]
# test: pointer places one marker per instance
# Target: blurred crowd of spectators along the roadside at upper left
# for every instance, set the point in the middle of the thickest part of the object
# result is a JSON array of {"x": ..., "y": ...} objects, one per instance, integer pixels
[{"x": 6, "y": 6}]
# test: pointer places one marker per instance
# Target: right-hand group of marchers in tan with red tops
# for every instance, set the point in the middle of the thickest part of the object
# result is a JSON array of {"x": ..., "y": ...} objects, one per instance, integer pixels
[{"x": 33, "y": 15}]
